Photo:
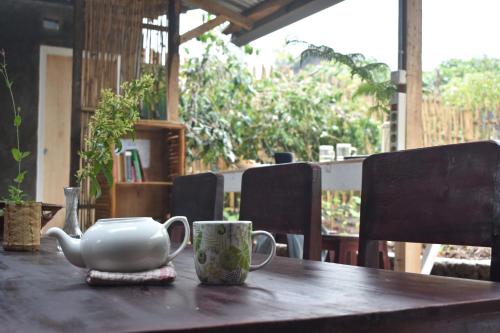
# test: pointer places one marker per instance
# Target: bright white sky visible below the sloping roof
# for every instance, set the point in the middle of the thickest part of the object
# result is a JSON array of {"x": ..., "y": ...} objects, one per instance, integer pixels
[{"x": 450, "y": 29}]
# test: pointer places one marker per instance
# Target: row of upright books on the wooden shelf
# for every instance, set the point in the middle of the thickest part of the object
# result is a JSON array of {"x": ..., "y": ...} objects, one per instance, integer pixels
[{"x": 129, "y": 167}]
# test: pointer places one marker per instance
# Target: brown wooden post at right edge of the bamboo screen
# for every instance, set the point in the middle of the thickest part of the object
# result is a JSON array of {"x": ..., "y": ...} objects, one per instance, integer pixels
[{"x": 174, "y": 8}]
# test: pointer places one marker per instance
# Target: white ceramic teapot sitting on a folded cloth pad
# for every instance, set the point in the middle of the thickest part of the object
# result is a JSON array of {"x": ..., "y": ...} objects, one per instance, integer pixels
[{"x": 121, "y": 244}]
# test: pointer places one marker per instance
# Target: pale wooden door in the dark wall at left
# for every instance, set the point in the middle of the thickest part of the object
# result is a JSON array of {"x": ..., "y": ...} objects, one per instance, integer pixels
[{"x": 55, "y": 122}]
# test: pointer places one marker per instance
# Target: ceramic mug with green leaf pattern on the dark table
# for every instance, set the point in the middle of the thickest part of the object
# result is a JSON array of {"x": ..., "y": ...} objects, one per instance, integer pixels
[{"x": 223, "y": 251}]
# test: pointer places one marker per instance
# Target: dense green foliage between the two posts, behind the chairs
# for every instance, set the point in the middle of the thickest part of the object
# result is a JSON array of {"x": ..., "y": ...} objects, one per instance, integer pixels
[{"x": 231, "y": 115}]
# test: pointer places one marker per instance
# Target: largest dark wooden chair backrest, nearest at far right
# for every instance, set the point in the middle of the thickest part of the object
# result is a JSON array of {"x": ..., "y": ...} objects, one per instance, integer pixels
[{"x": 445, "y": 195}]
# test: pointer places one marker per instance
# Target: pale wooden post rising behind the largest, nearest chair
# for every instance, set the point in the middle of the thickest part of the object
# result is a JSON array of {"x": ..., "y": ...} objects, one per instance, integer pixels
[{"x": 410, "y": 51}]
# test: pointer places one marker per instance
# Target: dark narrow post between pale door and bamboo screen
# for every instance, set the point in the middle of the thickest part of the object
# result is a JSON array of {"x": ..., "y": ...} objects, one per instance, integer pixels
[{"x": 76, "y": 89}]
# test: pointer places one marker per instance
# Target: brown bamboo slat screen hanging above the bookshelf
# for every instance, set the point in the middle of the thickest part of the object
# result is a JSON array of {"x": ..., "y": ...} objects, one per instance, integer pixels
[{"x": 116, "y": 44}]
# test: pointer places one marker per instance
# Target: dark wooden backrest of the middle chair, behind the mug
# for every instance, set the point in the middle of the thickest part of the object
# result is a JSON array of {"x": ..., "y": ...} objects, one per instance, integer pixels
[{"x": 285, "y": 198}]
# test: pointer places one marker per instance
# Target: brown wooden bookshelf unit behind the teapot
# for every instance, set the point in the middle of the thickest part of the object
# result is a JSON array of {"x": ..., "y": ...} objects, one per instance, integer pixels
[{"x": 166, "y": 146}]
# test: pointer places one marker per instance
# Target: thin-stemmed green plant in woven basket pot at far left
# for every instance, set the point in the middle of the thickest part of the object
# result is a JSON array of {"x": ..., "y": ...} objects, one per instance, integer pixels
[{"x": 22, "y": 219}]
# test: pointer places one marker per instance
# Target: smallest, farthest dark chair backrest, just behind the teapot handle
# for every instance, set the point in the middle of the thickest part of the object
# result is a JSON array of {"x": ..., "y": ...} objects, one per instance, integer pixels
[{"x": 199, "y": 197}]
